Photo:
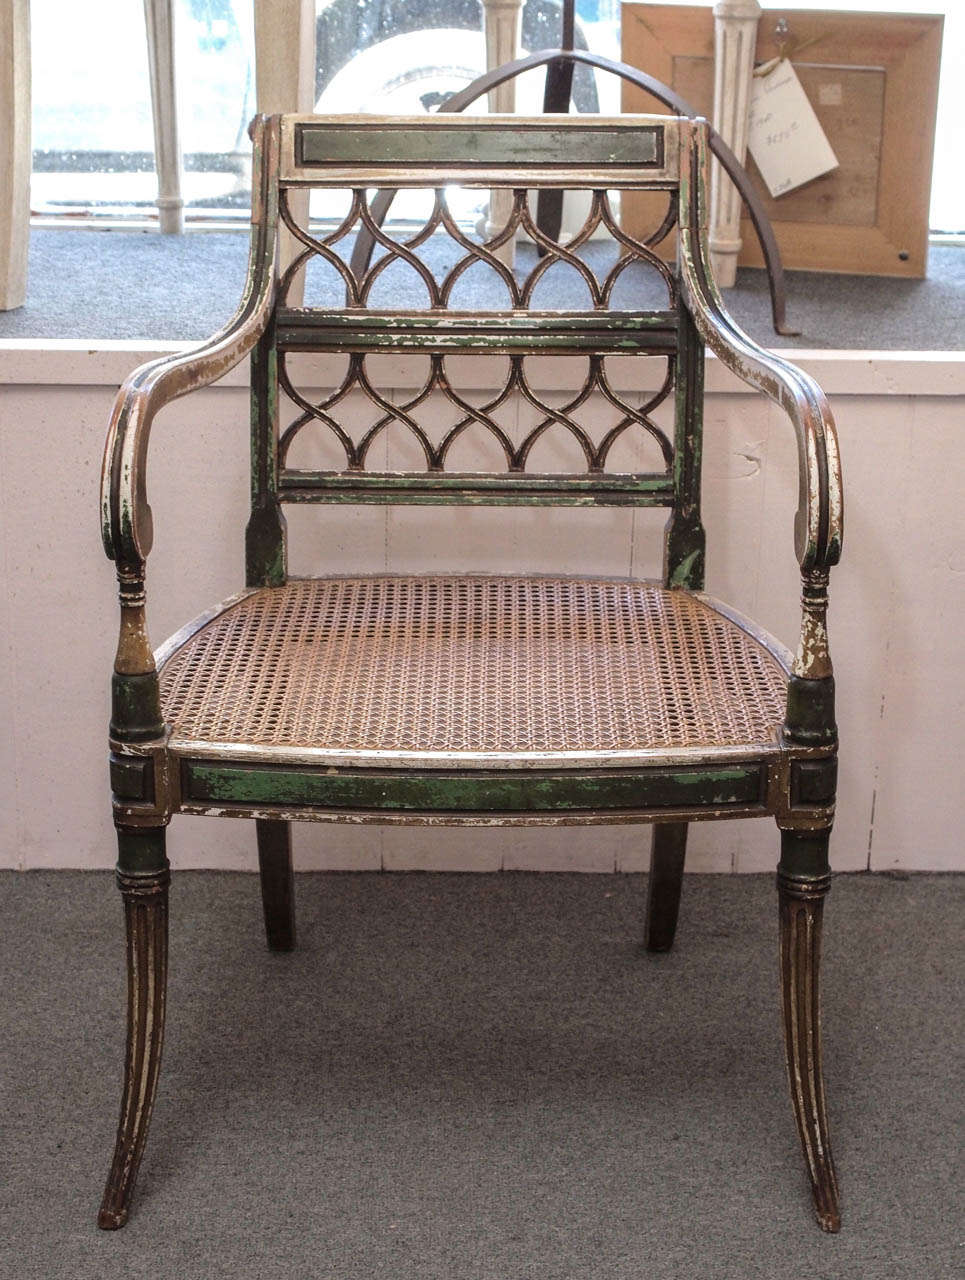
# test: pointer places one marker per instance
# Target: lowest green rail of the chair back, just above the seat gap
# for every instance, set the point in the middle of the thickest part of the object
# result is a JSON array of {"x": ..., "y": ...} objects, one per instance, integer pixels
[{"x": 479, "y": 491}]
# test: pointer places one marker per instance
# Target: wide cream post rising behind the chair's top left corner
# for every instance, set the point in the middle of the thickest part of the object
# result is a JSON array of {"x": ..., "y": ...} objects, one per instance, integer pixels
[{"x": 285, "y": 81}]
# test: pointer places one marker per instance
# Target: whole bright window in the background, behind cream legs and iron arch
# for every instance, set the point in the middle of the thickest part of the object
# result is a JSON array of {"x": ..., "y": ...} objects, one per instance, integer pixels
[{"x": 93, "y": 124}]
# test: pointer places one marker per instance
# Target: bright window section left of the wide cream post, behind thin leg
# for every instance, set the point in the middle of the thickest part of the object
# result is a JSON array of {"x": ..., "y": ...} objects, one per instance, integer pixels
[{"x": 93, "y": 122}]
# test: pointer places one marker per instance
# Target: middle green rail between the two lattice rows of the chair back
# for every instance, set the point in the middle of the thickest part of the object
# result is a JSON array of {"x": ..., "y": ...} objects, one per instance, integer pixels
[{"x": 497, "y": 333}]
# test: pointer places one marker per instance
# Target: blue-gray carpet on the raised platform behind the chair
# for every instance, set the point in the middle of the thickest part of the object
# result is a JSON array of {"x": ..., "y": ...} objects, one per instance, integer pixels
[{"x": 135, "y": 285}]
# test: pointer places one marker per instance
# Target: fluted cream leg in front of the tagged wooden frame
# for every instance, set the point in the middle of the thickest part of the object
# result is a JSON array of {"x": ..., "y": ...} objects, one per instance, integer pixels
[{"x": 735, "y": 39}]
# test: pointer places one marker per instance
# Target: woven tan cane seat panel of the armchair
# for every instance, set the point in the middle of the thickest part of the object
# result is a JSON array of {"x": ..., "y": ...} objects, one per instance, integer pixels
[{"x": 473, "y": 665}]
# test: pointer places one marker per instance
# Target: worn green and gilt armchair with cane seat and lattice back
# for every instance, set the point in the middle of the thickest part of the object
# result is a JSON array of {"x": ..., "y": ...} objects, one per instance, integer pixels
[{"x": 467, "y": 698}]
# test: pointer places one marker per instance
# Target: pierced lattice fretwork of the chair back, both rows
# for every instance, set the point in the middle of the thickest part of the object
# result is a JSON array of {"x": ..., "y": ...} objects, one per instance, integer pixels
[{"x": 440, "y": 298}]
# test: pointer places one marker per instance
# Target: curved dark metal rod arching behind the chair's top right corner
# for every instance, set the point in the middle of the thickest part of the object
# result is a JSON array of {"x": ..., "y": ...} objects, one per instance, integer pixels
[{"x": 737, "y": 172}]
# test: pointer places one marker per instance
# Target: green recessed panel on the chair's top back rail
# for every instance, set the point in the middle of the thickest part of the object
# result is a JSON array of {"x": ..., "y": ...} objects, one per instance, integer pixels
[{"x": 474, "y": 145}]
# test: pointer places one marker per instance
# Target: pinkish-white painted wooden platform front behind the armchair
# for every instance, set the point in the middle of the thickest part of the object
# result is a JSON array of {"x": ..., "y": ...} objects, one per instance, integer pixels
[{"x": 895, "y": 616}]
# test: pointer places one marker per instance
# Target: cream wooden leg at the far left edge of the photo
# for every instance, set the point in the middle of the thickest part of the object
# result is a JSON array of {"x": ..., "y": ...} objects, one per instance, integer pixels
[{"x": 15, "y": 150}]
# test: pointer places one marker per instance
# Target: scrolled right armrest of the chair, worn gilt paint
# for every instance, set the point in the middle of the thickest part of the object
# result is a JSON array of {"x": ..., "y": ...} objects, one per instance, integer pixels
[{"x": 818, "y": 523}]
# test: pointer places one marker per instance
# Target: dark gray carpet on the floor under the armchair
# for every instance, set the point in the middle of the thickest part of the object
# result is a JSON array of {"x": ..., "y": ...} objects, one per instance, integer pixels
[{"x": 481, "y": 1077}]
